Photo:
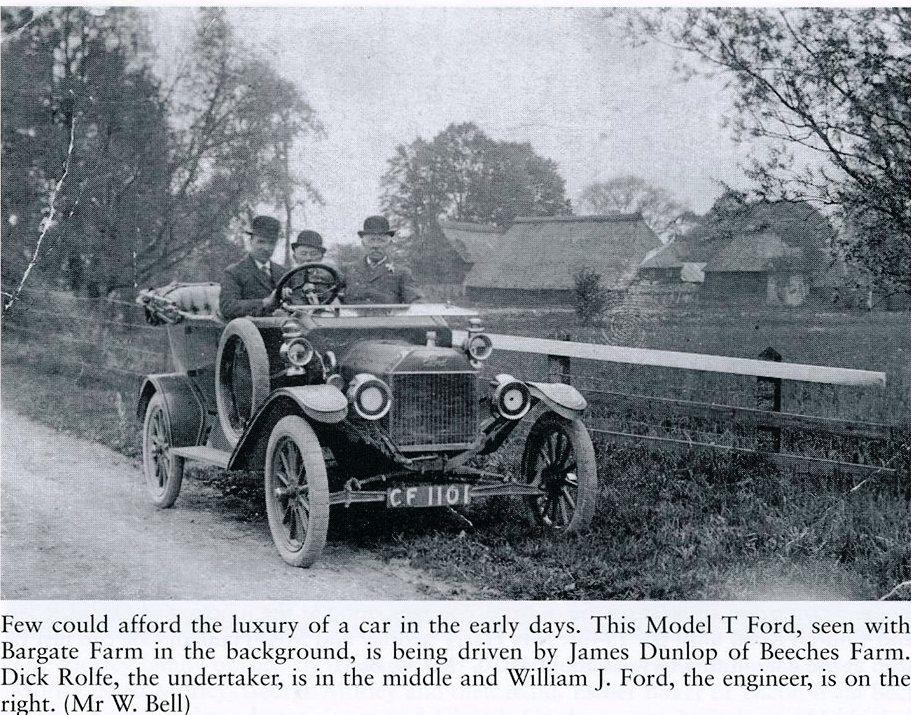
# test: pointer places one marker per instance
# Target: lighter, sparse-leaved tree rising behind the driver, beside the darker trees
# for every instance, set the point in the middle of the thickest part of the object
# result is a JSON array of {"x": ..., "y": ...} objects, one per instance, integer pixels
[{"x": 235, "y": 121}]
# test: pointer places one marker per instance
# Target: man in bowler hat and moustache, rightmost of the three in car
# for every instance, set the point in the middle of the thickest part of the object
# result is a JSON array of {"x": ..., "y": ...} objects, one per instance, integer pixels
[{"x": 375, "y": 279}]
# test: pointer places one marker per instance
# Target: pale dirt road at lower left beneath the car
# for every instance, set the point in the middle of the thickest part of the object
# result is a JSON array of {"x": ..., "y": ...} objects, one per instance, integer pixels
[{"x": 76, "y": 525}]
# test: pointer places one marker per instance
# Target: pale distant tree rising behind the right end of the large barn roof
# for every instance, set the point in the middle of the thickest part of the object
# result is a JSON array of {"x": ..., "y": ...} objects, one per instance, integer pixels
[{"x": 630, "y": 194}]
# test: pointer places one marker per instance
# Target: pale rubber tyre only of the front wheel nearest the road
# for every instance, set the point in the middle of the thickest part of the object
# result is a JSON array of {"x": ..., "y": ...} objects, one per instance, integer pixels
[{"x": 297, "y": 429}]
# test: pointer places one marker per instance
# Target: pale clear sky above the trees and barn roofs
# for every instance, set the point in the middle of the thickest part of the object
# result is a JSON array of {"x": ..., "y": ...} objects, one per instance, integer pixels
[{"x": 558, "y": 78}]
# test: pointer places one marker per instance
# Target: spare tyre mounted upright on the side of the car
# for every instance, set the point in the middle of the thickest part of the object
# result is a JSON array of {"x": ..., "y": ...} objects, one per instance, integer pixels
[{"x": 241, "y": 376}]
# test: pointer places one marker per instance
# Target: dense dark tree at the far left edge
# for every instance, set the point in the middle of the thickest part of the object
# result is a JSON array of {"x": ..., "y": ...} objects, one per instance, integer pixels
[{"x": 81, "y": 73}]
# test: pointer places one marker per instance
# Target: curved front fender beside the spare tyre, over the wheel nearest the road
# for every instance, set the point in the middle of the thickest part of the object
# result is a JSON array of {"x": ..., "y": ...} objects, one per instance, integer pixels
[{"x": 319, "y": 403}]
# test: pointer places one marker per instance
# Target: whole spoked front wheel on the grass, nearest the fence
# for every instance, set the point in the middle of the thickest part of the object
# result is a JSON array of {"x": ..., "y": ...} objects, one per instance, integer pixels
[{"x": 559, "y": 458}]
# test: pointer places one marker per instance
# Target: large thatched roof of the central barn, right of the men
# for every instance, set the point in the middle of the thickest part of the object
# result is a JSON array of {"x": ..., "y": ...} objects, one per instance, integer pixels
[{"x": 544, "y": 253}]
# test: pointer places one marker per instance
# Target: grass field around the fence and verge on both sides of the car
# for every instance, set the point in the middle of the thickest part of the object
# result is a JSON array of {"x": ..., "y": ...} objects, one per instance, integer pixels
[{"x": 668, "y": 526}]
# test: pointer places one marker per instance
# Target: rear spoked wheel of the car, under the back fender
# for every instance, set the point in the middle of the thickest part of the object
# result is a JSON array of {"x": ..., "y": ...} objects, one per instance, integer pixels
[{"x": 163, "y": 470}]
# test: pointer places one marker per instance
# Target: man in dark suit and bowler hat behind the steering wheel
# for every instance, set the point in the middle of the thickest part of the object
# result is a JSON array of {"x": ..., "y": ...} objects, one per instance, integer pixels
[{"x": 248, "y": 287}]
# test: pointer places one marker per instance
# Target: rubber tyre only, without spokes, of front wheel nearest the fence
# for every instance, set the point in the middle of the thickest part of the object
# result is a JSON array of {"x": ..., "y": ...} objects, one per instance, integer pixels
[{"x": 587, "y": 488}]
